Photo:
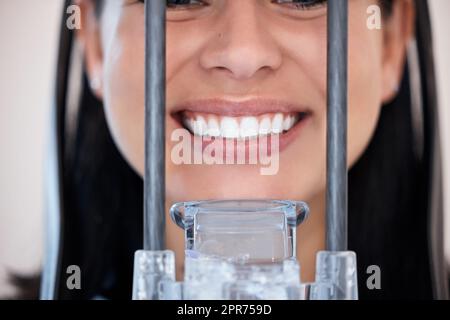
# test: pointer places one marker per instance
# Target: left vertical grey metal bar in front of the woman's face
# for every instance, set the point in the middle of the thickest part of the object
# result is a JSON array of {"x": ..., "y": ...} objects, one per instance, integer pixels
[{"x": 155, "y": 90}]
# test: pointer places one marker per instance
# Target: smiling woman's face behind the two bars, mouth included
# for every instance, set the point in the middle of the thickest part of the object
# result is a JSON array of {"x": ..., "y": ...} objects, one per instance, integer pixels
[{"x": 244, "y": 69}]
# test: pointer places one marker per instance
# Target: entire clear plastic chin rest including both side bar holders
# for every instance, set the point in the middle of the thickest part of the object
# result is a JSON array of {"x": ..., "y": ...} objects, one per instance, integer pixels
[{"x": 242, "y": 250}]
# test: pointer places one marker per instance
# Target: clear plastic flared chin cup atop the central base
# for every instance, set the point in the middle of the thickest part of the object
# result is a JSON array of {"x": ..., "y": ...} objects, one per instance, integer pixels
[{"x": 247, "y": 231}]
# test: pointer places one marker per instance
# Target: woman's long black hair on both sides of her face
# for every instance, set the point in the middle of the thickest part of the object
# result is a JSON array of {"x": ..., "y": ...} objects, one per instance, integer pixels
[{"x": 395, "y": 200}]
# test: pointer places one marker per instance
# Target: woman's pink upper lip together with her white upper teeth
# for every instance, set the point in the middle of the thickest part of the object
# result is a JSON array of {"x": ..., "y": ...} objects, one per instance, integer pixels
[{"x": 239, "y": 120}]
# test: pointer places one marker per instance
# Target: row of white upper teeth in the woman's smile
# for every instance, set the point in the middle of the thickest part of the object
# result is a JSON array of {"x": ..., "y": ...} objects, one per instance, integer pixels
[{"x": 239, "y": 127}]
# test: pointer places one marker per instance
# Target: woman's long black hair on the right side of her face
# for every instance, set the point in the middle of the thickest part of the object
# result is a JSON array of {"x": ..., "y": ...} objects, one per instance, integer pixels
[{"x": 395, "y": 191}]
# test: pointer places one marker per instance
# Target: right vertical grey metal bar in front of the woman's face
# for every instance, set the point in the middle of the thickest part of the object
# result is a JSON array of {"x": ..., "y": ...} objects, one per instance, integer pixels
[{"x": 336, "y": 208}]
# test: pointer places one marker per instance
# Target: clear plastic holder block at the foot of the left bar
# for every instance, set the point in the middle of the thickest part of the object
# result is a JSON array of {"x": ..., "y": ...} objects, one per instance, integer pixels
[{"x": 151, "y": 268}]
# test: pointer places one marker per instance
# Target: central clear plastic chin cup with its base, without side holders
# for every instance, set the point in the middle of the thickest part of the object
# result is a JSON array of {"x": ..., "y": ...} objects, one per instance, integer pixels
[{"x": 240, "y": 249}]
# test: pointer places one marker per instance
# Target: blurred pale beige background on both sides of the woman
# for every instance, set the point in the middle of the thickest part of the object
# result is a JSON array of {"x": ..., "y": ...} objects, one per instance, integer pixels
[{"x": 29, "y": 37}]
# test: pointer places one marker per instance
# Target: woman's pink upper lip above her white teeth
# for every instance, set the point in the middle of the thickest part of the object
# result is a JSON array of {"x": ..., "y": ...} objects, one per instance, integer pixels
[{"x": 230, "y": 108}]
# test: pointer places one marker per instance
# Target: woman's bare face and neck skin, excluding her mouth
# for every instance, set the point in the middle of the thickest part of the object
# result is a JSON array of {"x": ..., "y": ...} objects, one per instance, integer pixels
[{"x": 238, "y": 50}]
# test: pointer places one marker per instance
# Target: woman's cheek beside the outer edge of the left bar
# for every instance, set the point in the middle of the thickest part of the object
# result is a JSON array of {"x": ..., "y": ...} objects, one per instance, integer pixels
[{"x": 124, "y": 91}]
